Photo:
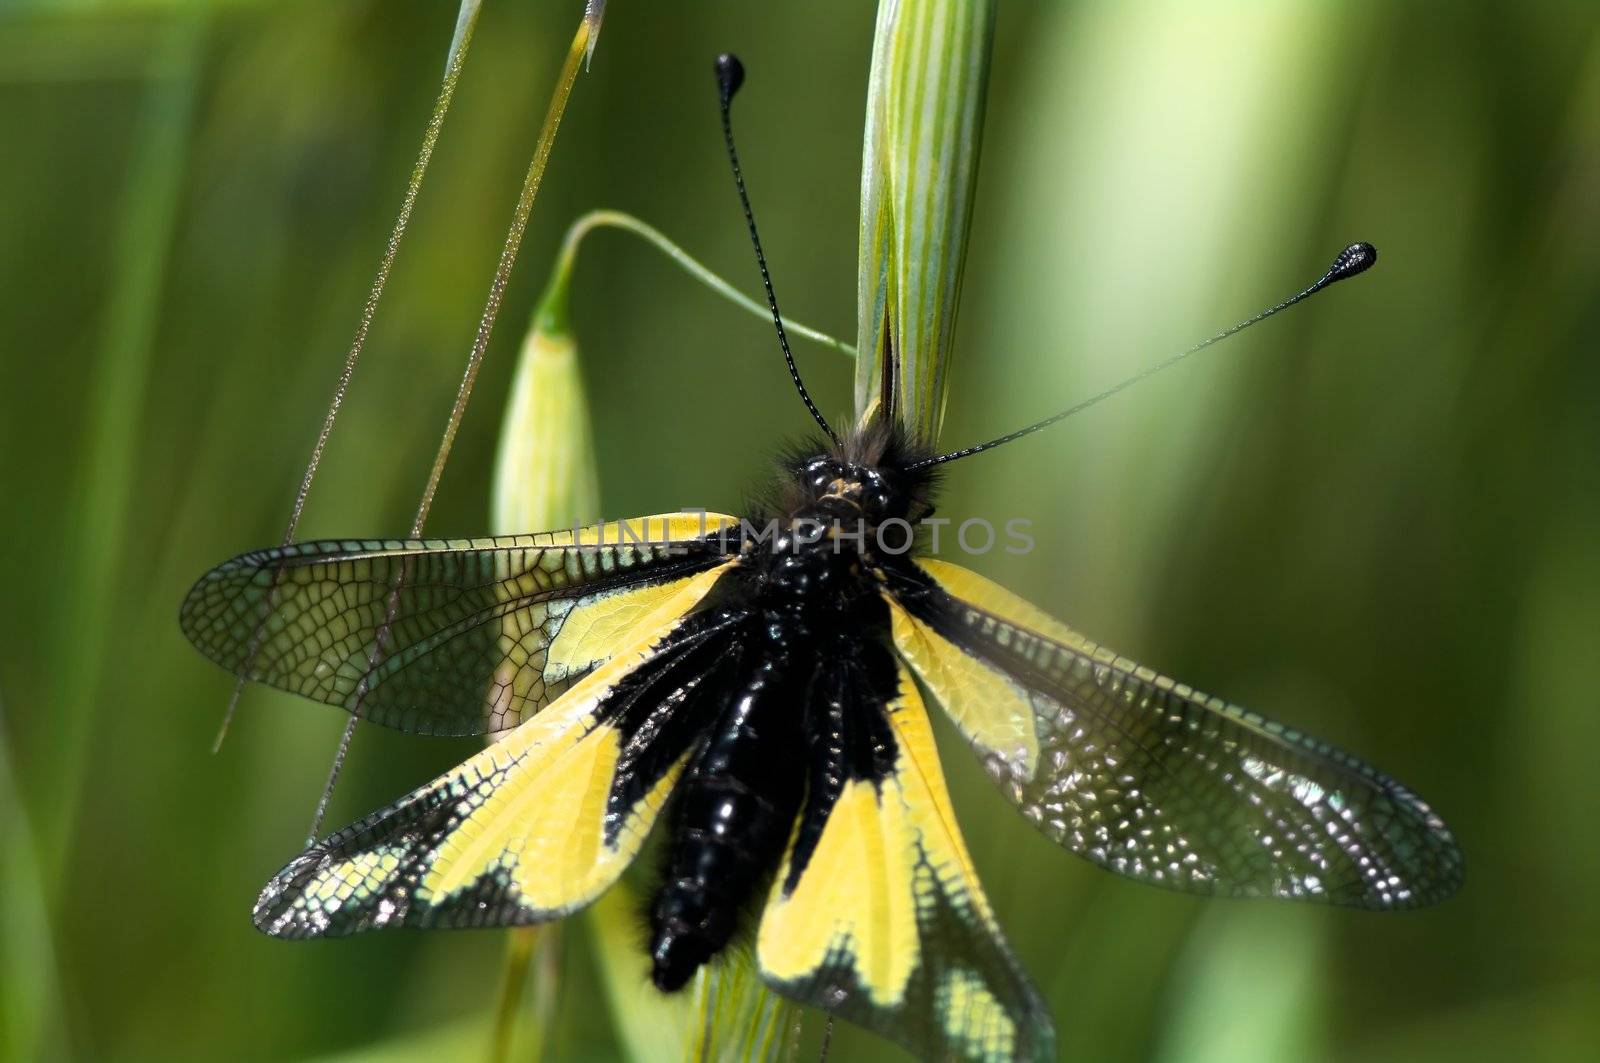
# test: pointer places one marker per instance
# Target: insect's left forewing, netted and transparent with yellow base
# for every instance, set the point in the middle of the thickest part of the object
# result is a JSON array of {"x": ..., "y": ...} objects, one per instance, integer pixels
[{"x": 479, "y": 635}]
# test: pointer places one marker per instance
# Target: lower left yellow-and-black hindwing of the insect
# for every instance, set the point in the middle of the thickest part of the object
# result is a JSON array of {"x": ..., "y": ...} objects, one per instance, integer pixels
[{"x": 534, "y": 827}]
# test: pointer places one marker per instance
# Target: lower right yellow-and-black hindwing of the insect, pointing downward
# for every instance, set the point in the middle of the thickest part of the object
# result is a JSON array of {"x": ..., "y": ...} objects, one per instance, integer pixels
[{"x": 878, "y": 915}]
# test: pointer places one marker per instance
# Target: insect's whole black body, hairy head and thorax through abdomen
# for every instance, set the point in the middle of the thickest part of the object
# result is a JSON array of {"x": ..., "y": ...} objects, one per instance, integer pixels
[{"x": 794, "y": 705}]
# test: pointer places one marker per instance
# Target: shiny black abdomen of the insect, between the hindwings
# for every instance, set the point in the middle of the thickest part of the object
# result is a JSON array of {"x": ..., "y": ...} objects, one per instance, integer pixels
[{"x": 737, "y": 811}]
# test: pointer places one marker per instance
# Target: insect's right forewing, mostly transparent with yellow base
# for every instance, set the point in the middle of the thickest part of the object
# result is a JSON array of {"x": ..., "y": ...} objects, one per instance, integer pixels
[{"x": 1153, "y": 779}]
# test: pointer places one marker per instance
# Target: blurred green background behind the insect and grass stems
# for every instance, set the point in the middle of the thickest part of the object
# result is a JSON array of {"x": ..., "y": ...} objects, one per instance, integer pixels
[{"x": 1377, "y": 518}]
